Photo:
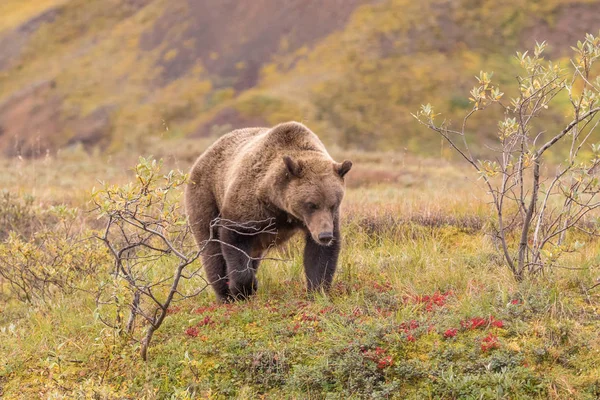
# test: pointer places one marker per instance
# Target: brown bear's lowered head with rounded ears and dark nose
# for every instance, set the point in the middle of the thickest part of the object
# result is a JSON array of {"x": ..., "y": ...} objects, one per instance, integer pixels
[{"x": 313, "y": 193}]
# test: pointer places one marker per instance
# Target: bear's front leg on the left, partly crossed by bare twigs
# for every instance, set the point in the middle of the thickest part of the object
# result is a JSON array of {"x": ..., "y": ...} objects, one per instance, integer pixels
[{"x": 241, "y": 268}]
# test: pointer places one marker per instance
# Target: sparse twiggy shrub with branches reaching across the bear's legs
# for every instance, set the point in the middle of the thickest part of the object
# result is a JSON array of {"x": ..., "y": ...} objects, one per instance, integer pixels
[{"x": 151, "y": 244}]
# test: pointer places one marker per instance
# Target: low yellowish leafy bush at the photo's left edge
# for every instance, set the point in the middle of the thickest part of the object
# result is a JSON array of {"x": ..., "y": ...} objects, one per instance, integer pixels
[{"x": 44, "y": 250}]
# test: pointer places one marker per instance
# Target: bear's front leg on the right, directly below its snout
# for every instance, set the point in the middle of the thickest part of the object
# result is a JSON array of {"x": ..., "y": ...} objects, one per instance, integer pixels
[{"x": 320, "y": 261}]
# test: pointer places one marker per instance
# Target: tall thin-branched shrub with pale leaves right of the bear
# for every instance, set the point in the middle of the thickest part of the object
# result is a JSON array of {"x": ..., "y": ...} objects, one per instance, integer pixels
[{"x": 543, "y": 209}]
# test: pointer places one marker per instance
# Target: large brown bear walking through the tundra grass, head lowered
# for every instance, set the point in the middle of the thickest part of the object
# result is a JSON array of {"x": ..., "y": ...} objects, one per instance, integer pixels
[{"x": 253, "y": 189}]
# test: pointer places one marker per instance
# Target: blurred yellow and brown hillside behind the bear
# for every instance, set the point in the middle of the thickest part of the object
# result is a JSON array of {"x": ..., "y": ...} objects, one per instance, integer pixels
[{"x": 116, "y": 75}]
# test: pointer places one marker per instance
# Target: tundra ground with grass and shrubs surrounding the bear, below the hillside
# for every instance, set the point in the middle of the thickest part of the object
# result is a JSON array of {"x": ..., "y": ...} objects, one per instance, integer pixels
[{"x": 436, "y": 296}]
